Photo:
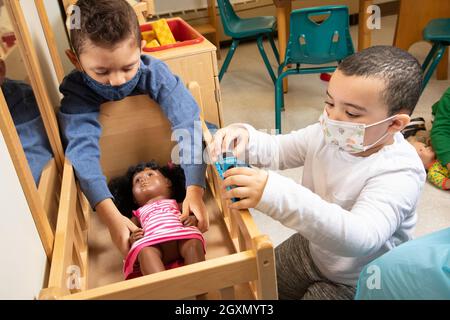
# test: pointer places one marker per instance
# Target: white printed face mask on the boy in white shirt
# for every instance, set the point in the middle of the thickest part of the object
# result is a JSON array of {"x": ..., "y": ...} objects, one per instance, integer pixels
[{"x": 348, "y": 136}]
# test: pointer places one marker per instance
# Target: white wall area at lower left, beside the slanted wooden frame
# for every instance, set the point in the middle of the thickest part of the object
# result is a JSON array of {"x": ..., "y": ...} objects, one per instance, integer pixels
[{"x": 22, "y": 257}]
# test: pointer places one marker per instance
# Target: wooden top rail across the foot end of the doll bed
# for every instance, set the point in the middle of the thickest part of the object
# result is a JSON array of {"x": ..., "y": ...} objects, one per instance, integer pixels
[{"x": 182, "y": 282}]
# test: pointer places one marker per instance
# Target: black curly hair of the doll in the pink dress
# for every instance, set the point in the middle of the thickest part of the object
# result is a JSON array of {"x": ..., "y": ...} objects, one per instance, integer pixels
[{"x": 121, "y": 187}]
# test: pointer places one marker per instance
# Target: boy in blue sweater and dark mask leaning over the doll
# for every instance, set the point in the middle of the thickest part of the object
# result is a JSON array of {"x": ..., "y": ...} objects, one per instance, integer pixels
[{"x": 107, "y": 46}]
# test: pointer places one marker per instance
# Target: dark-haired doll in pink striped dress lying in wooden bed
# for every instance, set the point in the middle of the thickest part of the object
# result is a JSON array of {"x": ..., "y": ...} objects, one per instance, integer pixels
[{"x": 149, "y": 196}]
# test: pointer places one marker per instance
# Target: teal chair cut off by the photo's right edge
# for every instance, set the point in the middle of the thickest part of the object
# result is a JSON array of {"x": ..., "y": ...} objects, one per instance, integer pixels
[{"x": 438, "y": 33}]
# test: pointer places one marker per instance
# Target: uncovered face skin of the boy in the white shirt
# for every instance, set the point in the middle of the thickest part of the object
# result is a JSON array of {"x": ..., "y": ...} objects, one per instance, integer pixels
[{"x": 359, "y": 100}]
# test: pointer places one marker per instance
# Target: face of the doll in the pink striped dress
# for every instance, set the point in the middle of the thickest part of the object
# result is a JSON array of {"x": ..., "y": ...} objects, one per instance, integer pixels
[{"x": 149, "y": 184}]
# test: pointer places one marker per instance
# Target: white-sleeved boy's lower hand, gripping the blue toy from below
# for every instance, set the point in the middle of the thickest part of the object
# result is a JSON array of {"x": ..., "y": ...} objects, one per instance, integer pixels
[{"x": 248, "y": 185}]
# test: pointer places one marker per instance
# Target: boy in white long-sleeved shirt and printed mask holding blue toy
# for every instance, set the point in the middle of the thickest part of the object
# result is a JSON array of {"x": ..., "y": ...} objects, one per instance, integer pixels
[{"x": 361, "y": 178}]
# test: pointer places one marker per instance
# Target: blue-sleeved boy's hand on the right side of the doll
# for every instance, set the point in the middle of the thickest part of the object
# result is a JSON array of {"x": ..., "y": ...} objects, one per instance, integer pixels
[{"x": 194, "y": 203}]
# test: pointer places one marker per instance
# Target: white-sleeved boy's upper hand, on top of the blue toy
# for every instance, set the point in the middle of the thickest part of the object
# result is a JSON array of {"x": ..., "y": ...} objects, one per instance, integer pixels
[{"x": 231, "y": 138}]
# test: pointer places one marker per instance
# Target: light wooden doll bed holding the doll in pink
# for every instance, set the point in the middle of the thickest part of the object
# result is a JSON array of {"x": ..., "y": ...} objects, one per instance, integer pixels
[{"x": 85, "y": 263}]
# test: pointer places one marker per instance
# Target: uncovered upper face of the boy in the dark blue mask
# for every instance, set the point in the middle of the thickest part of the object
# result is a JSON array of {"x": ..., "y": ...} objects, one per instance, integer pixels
[{"x": 111, "y": 66}]
